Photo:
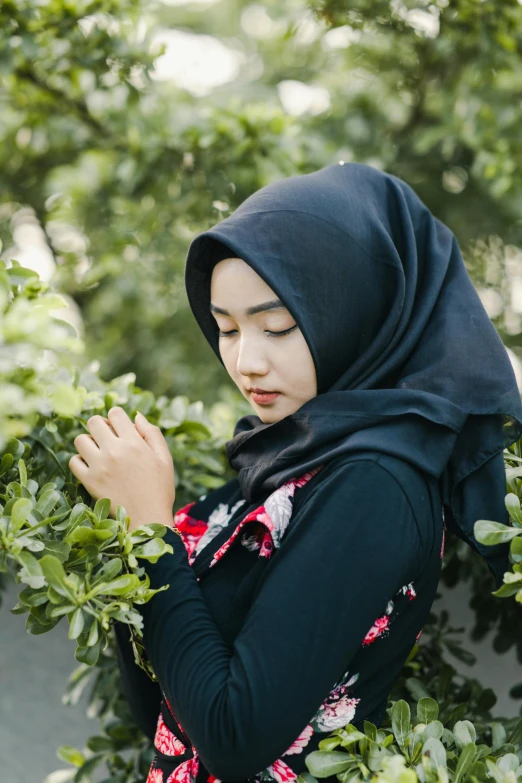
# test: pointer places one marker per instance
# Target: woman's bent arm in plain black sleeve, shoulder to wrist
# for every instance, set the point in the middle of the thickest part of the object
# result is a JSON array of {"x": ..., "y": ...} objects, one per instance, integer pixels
[{"x": 352, "y": 545}]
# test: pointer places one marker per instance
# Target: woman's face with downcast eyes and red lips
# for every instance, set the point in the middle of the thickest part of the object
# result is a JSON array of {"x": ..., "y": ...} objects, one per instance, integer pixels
[{"x": 253, "y": 352}]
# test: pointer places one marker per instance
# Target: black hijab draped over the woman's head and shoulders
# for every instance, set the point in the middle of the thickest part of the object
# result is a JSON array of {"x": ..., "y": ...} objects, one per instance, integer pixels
[{"x": 407, "y": 359}]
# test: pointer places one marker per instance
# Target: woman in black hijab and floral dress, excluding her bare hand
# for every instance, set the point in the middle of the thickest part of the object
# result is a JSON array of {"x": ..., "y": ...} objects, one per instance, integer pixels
[{"x": 301, "y": 585}]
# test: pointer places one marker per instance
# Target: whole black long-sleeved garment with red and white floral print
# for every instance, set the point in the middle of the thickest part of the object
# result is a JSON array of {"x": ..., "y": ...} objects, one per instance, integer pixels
[{"x": 298, "y": 625}]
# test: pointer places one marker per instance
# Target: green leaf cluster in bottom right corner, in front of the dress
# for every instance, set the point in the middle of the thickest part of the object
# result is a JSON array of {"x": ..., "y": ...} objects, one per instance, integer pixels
[{"x": 426, "y": 749}]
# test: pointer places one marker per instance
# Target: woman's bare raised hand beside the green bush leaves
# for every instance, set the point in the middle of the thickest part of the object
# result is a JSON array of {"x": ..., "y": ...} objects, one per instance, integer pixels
[{"x": 128, "y": 463}]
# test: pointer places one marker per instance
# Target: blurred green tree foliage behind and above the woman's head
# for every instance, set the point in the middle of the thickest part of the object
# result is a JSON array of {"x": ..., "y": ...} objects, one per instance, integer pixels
[{"x": 128, "y": 127}]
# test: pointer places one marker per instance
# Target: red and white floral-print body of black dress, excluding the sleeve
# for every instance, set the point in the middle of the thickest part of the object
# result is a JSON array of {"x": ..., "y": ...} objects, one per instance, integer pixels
[{"x": 360, "y": 693}]
